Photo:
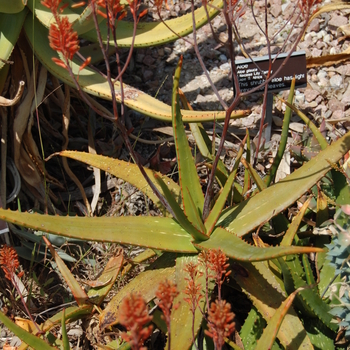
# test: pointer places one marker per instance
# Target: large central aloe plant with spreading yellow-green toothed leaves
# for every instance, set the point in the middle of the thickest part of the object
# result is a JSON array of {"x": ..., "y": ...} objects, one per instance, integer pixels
[{"x": 188, "y": 233}]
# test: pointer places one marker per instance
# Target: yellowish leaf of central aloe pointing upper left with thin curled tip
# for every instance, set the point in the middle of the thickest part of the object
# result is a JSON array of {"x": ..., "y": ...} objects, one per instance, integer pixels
[{"x": 128, "y": 172}]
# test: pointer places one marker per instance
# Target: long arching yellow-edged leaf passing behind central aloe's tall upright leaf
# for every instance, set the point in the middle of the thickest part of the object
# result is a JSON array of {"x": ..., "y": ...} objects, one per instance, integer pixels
[{"x": 93, "y": 83}]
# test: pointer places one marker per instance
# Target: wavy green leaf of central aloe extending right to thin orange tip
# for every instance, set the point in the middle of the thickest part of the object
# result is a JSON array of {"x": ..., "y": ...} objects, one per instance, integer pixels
[{"x": 238, "y": 249}]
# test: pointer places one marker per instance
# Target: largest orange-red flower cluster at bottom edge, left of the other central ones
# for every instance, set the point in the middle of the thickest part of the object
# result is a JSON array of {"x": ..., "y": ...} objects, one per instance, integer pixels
[{"x": 134, "y": 316}]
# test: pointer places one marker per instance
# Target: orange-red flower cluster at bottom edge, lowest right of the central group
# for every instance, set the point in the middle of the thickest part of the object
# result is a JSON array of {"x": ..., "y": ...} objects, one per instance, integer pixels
[{"x": 219, "y": 322}]
